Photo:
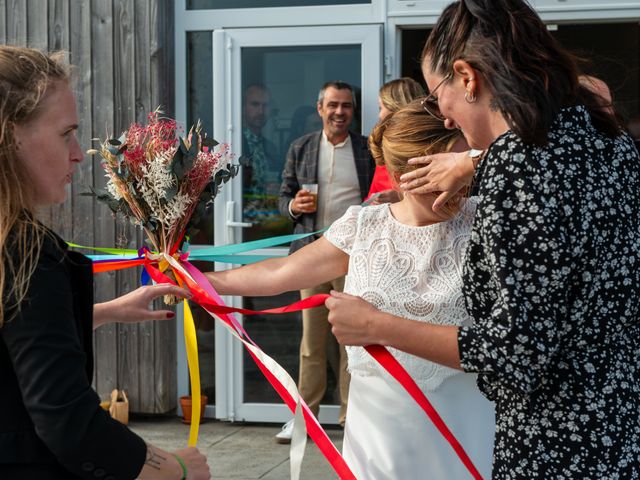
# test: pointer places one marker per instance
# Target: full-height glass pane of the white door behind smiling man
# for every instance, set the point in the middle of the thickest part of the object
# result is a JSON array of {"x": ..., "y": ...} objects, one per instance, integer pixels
[{"x": 280, "y": 90}]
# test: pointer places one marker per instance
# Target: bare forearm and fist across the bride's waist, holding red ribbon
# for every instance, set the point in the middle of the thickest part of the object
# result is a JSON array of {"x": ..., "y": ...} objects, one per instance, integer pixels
[{"x": 356, "y": 322}]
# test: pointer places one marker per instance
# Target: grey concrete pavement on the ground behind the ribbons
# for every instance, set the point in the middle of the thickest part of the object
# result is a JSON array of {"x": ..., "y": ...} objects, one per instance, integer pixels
[{"x": 238, "y": 451}]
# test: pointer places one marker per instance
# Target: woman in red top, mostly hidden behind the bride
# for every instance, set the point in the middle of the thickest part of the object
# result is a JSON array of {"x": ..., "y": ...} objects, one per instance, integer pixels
[{"x": 392, "y": 96}]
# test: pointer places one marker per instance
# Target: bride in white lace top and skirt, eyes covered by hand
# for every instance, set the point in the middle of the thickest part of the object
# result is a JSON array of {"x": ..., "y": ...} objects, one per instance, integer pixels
[{"x": 406, "y": 260}]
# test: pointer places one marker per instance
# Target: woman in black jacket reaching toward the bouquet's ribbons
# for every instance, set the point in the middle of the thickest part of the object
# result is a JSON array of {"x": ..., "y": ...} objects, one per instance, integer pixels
[{"x": 51, "y": 424}]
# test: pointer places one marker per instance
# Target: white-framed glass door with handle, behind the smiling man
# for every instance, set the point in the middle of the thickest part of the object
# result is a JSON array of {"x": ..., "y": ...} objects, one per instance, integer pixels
[{"x": 266, "y": 83}]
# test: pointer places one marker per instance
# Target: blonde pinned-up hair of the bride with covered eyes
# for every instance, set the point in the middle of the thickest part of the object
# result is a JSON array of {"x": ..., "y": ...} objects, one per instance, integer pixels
[{"x": 408, "y": 133}]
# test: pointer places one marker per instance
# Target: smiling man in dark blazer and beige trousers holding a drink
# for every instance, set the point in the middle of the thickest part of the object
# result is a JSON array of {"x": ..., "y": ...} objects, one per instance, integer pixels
[{"x": 338, "y": 161}]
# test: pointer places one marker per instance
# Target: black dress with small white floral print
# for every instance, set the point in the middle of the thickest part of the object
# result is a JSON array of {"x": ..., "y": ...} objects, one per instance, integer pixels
[{"x": 553, "y": 282}]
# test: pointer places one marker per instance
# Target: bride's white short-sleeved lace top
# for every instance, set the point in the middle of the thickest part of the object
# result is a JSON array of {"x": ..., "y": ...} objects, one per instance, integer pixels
[{"x": 412, "y": 272}]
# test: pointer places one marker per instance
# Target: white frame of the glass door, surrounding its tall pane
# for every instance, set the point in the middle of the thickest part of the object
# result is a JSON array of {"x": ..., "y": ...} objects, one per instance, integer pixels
[{"x": 227, "y": 111}]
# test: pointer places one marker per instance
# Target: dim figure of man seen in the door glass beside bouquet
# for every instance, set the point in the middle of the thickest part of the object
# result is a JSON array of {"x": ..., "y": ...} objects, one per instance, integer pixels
[{"x": 260, "y": 160}]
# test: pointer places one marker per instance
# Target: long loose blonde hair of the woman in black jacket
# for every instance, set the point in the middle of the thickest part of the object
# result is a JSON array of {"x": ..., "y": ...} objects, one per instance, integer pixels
[{"x": 25, "y": 76}]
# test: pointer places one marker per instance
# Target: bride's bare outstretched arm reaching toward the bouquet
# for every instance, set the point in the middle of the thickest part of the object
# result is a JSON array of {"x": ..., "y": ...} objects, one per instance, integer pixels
[{"x": 313, "y": 264}]
